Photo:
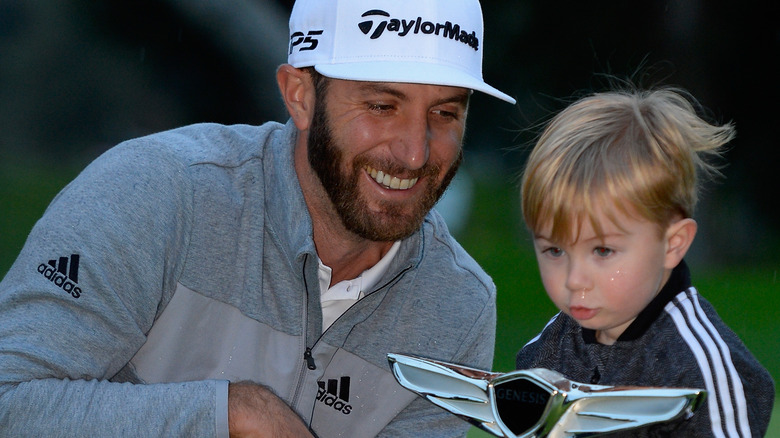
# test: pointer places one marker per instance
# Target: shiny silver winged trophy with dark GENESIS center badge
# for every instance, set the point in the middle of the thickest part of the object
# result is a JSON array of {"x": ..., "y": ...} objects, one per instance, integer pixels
[{"x": 539, "y": 402}]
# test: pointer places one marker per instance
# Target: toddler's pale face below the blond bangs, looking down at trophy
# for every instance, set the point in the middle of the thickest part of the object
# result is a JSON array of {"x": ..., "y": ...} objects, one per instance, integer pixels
[{"x": 604, "y": 284}]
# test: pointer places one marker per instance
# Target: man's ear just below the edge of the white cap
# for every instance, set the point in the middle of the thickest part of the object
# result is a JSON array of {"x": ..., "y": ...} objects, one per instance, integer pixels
[{"x": 298, "y": 94}]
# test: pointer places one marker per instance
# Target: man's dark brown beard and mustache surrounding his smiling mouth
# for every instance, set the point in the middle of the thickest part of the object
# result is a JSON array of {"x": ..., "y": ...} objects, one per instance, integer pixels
[{"x": 396, "y": 221}]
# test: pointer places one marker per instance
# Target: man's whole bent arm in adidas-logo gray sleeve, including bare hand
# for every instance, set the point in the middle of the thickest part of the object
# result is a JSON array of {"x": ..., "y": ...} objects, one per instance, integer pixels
[{"x": 82, "y": 295}]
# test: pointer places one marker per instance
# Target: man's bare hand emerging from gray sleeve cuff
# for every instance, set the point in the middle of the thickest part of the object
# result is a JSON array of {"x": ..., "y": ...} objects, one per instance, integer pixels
[{"x": 255, "y": 412}]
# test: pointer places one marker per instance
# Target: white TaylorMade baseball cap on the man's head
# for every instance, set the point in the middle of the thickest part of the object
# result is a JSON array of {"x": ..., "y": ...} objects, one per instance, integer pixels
[{"x": 436, "y": 42}]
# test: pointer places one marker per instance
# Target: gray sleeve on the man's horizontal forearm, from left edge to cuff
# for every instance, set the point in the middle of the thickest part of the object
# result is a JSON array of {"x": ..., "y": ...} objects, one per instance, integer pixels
[{"x": 62, "y": 407}]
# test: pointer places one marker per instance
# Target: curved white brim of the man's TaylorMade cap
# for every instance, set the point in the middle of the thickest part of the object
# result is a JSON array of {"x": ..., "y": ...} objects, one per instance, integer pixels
[{"x": 409, "y": 72}]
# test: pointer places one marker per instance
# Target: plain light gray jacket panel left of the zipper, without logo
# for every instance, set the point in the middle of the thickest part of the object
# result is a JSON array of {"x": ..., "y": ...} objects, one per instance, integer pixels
[{"x": 199, "y": 338}]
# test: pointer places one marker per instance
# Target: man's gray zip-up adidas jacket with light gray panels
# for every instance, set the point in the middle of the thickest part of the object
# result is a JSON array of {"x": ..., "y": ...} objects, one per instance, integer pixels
[{"x": 180, "y": 261}]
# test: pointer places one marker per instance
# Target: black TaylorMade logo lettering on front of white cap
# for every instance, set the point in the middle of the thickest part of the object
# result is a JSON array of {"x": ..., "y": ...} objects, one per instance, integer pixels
[{"x": 415, "y": 26}]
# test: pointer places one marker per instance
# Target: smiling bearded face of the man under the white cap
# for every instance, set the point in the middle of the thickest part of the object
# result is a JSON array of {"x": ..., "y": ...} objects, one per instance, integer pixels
[{"x": 385, "y": 152}]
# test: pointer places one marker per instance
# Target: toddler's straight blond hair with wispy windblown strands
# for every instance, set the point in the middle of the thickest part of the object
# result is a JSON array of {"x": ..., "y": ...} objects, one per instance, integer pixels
[{"x": 639, "y": 150}]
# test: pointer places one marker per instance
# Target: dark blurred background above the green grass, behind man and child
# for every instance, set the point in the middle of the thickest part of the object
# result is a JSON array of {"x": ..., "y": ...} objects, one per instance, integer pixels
[{"x": 78, "y": 76}]
